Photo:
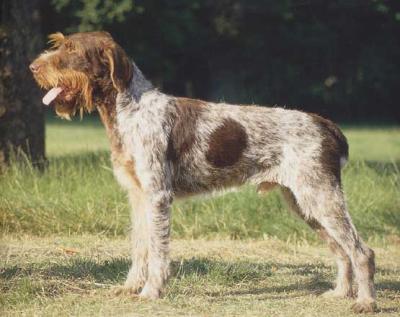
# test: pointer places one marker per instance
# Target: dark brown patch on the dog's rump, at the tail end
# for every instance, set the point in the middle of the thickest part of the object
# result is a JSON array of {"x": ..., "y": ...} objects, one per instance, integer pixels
[{"x": 334, "y": 145}]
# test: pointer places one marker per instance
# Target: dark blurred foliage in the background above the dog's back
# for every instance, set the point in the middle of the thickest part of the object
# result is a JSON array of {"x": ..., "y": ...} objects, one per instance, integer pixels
[{"x": 337, "y": 58}]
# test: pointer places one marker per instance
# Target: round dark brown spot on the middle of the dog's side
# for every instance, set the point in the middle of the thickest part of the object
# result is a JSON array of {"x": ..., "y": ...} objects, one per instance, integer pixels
[{"x": 226, "y": 144}]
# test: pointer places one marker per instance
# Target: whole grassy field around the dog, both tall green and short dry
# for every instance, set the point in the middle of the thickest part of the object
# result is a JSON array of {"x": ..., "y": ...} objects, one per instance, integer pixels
[{"x": 62, "y": 242}]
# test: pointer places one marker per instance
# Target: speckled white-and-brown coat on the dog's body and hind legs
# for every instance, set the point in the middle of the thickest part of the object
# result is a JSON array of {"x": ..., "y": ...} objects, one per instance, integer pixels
[{"x": 183, "y": 146}]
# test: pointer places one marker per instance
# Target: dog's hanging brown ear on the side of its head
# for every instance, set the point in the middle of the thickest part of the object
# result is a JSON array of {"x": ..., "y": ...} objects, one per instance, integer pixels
[{"x": 120, "y": 67}]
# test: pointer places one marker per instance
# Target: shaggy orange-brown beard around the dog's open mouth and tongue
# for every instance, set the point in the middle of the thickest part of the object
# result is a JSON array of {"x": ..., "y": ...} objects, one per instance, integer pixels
[{"x": 69, "y": 90}]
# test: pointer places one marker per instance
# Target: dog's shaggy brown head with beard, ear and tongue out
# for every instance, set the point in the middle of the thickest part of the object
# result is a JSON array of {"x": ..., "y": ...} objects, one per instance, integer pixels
[{"x": 81, "y": 70}]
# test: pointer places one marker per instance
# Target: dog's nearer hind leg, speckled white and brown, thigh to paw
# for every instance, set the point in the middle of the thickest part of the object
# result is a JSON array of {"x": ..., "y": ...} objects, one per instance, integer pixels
[{"x": 325, "y": 203}]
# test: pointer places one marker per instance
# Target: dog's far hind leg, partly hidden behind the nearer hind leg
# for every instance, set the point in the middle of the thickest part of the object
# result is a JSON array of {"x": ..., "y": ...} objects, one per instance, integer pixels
[{"x": 345, "y": 274}]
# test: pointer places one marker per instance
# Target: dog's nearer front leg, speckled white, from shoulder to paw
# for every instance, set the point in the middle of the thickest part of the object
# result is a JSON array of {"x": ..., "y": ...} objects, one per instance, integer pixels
[{"x": 154, "y": 173}]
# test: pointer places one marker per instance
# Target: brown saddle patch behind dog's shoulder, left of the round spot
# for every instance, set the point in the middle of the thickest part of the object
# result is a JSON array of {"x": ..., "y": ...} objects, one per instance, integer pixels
[{"x": 183, "y": 134}]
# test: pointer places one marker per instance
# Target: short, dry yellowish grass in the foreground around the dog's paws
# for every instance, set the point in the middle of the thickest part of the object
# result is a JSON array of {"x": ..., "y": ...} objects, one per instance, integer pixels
[{"x": 64, "y": 276}]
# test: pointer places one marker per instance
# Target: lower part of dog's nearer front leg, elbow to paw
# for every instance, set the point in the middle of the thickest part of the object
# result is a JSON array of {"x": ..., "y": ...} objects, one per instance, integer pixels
[{"x": 158, "y": 222}]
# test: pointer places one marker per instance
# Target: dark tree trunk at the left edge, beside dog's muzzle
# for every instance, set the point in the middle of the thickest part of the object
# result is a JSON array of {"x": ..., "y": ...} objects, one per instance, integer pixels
[{"x": 21, "y": 114}]
